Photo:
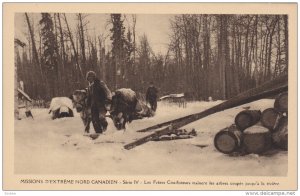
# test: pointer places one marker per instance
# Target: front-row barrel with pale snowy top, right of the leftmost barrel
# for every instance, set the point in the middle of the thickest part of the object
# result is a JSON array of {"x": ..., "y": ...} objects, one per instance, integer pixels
[{"x": 257, "y": 139}]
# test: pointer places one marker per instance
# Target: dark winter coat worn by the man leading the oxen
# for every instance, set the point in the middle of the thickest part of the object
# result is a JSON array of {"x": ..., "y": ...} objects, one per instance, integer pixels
[{"x": 99, "y": 94}]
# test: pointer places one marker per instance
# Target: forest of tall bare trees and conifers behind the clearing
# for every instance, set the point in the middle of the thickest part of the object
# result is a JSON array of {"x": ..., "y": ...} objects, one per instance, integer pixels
[{"x": 216, "y": 56}]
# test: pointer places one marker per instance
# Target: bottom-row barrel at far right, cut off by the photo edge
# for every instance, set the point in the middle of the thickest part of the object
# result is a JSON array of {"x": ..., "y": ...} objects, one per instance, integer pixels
[{"x": 280, "y": 135}]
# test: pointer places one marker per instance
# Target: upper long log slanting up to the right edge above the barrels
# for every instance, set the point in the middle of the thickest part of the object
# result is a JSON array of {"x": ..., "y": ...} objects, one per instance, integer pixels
[{"x": 271, "y": 88}]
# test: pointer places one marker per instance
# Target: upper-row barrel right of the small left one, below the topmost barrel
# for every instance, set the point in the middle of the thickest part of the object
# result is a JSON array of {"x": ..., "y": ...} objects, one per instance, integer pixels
[{"x": 270, "y": 118}]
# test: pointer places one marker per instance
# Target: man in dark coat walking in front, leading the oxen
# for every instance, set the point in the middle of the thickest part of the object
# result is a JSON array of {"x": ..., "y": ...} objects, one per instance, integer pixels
[{"x": 99, "y": 96}]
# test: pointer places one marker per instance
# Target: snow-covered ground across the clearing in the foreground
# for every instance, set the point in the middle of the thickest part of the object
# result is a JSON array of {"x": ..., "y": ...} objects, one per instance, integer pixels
[{"x": 45, "y": 146}]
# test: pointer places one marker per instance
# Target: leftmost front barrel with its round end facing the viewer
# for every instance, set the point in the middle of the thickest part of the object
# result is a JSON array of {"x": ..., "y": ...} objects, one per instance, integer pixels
[{"x": 228, "y": 140}]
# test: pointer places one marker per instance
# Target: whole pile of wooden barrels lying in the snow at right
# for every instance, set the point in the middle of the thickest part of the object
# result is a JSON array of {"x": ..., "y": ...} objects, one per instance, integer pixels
[{"x": 255, "y": 131}]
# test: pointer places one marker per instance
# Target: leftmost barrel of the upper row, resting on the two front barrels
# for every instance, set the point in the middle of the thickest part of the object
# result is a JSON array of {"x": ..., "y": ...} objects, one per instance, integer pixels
[{"x": 247, "y": 118}]
